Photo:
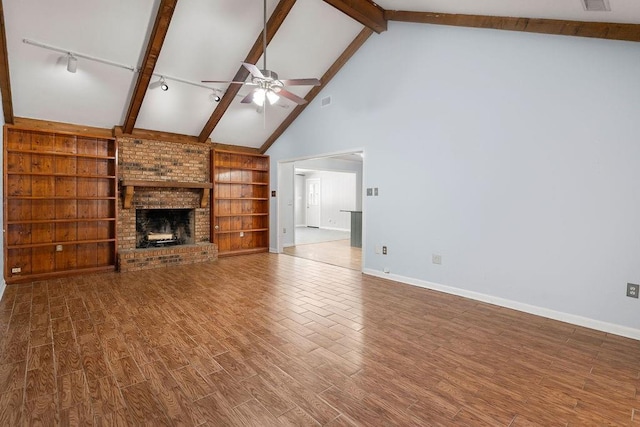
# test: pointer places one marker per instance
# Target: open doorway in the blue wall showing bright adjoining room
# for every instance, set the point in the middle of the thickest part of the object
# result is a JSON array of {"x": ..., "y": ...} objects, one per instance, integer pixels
[{"x": 324, "y": 194}]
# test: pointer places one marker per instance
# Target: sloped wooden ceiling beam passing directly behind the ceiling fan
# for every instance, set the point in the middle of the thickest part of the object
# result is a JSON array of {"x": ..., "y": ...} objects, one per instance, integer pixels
[{"x": 273, "y": 25}]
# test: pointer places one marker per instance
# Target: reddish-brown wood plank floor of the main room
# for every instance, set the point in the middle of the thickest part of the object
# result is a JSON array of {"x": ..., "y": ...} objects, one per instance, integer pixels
[{"x": 277, "y": 340}]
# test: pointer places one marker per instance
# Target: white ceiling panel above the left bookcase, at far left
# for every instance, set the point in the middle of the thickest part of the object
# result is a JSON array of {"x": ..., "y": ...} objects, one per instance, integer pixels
[{"x": 97, "y": 94}]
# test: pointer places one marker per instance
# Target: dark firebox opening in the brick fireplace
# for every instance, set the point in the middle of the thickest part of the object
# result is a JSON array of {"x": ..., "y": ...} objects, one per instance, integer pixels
[{"x": 164, "y": 227}]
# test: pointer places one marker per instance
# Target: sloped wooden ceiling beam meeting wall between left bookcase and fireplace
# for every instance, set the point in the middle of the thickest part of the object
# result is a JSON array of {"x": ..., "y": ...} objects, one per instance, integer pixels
[{"x": 159, "y": 32}]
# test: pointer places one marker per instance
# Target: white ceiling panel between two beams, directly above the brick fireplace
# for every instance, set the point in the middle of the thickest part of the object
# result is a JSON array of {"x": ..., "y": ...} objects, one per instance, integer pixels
[{"x": 207, "y": 40}]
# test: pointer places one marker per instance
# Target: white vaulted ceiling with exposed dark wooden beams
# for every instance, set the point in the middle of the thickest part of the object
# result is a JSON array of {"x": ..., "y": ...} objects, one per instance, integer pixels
[{"x": 124, "y": 47}]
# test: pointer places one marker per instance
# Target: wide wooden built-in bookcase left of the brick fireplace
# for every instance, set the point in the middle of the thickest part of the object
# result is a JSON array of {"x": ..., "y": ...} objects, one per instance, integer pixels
[{"x": 60, "y": 193}]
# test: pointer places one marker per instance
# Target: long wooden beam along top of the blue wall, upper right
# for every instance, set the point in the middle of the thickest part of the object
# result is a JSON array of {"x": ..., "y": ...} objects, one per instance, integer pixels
[{"x": 603, "y": 30}]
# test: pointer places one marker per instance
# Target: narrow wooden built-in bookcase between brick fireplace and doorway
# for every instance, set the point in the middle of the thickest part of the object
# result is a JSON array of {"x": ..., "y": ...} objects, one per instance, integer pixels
[{"x": 240, "y": 211}]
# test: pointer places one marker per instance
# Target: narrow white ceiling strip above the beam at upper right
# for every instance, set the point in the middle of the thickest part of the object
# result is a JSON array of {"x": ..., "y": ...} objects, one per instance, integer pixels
[{"x": 623, "y": 11}]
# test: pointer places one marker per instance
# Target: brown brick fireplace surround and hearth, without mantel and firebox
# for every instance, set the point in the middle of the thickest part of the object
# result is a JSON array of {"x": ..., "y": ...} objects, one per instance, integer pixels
[{"x": 153, "y": 160}]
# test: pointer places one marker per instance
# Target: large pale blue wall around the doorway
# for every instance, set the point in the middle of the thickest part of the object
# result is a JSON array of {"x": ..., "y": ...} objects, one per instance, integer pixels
[{"x": 513, "y": 155}]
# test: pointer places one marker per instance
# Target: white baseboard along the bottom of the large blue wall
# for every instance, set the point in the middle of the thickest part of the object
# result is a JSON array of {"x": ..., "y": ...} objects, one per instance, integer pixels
[{"x": 611, "y": 328}]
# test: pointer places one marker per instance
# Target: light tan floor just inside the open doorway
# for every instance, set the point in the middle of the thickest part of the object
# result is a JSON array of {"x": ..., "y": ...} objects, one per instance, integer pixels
[{"x": 337, "y": 252}]
